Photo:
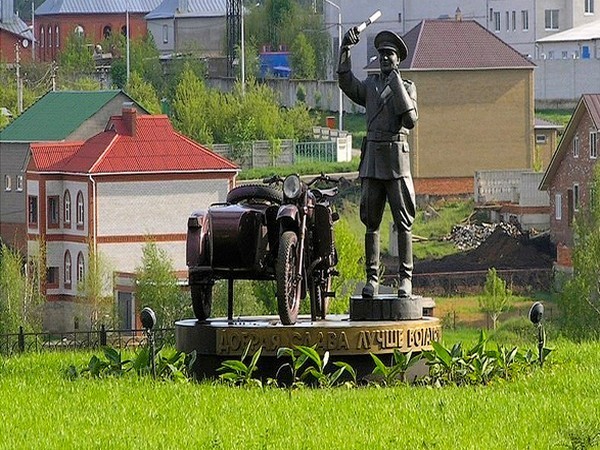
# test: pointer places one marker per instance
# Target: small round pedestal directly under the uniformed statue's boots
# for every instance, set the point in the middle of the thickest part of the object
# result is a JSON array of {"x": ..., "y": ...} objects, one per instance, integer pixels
[{"x": 390, "y": 307}]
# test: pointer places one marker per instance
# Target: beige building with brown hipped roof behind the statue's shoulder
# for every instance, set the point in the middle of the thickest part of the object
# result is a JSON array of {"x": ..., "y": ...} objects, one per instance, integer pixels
[{"x": 475, "y": 99}]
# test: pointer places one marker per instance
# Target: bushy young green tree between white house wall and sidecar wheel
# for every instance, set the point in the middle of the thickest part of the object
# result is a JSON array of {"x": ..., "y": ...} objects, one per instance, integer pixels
[{"x": 157, "y": 285}]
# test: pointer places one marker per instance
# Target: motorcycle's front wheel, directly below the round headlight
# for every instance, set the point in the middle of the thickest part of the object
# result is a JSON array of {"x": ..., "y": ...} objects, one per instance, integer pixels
[{"x": 287, "y": 285}]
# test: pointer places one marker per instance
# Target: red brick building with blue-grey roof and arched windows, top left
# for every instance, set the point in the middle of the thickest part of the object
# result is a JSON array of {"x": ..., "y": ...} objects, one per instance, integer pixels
[{"x": 56, "y": 20}]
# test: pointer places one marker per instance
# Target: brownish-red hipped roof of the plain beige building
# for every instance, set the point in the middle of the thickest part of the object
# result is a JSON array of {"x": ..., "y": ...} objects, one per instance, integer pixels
[{"x": 451, "y": 44}]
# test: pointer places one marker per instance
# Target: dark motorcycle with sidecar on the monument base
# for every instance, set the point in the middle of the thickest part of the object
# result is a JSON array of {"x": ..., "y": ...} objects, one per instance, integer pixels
[{"x": 281, "y": 230}]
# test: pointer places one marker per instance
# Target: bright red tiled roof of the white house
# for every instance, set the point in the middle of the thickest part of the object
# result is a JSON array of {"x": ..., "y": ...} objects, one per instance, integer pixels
[{"x": 156, "y": 147}]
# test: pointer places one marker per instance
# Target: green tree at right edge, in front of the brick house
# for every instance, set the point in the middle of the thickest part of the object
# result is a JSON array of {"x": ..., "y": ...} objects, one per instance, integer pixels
[{"x": 580, "y": 300}]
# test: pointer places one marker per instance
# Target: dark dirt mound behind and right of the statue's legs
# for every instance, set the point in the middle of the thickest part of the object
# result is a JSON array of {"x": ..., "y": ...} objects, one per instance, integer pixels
[{"x": 499, "y": 250}]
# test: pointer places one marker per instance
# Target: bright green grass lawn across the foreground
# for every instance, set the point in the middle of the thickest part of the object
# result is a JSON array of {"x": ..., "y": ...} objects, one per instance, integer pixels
[{"x": 40, "y": 408}]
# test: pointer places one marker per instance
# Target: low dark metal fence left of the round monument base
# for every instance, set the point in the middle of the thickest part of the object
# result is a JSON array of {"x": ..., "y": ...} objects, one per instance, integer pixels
[{"x": 81, "y": 340}]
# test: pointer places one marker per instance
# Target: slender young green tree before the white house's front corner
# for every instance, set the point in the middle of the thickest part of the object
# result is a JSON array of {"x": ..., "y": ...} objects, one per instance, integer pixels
[{"x": 95, "y": 289}]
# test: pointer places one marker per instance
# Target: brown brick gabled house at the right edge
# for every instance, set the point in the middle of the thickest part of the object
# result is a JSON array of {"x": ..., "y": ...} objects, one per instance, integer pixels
[{"x": 568, "y": 177}]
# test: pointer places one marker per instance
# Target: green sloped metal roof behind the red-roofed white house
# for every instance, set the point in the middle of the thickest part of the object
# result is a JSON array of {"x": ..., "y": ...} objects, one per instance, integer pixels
[{"x": 56, "y": 115}]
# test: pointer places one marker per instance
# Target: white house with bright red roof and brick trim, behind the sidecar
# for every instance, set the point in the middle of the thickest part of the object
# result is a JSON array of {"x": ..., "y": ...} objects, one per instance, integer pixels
[{"x": 138, "y": 179}]
